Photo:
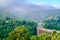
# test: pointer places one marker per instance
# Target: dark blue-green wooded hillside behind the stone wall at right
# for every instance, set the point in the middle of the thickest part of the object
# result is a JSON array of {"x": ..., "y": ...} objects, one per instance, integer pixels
[{"x": 52, "y": 22}]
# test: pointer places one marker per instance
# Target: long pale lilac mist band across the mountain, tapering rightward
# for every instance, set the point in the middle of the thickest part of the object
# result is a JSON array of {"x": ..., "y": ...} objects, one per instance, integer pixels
[{"x": 20, "y": 9}]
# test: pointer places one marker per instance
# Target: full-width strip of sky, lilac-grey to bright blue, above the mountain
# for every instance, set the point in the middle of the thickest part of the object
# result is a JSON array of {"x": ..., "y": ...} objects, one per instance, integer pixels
[{"x": 49, "y": 2}]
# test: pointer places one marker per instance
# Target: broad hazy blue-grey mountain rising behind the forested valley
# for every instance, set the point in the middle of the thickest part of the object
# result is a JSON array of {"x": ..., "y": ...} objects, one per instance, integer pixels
[{"x": 35, "y": 12}]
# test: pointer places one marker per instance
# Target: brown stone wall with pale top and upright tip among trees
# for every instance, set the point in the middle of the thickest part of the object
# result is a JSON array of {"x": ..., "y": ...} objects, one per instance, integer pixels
[{"x": 41, "y": 30}]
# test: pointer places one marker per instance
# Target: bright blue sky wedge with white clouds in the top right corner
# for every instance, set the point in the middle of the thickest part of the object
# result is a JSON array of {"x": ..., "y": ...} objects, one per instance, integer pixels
[{"x": 55, "y": 3}]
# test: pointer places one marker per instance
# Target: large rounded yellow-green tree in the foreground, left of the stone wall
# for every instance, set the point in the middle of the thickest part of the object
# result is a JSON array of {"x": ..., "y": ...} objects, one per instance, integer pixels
[{"x": 19, "y": 33}]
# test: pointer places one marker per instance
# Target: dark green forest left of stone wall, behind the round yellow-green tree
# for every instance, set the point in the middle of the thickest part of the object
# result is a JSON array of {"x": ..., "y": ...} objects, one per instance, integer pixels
[{"x": 9, "y": 24}]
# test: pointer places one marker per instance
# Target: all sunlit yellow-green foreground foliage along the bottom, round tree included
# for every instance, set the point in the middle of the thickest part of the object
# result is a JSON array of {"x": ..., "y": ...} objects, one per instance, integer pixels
[{"x": 21, "y": 33}]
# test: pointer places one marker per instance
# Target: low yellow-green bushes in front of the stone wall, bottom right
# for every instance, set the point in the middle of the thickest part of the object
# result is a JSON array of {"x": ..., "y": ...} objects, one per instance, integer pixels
[{"x": 48, "y": 36}]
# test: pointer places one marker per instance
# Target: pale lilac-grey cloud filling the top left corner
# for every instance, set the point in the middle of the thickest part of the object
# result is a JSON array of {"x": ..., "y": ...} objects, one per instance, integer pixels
[{"x": 4, "y": 3}]
